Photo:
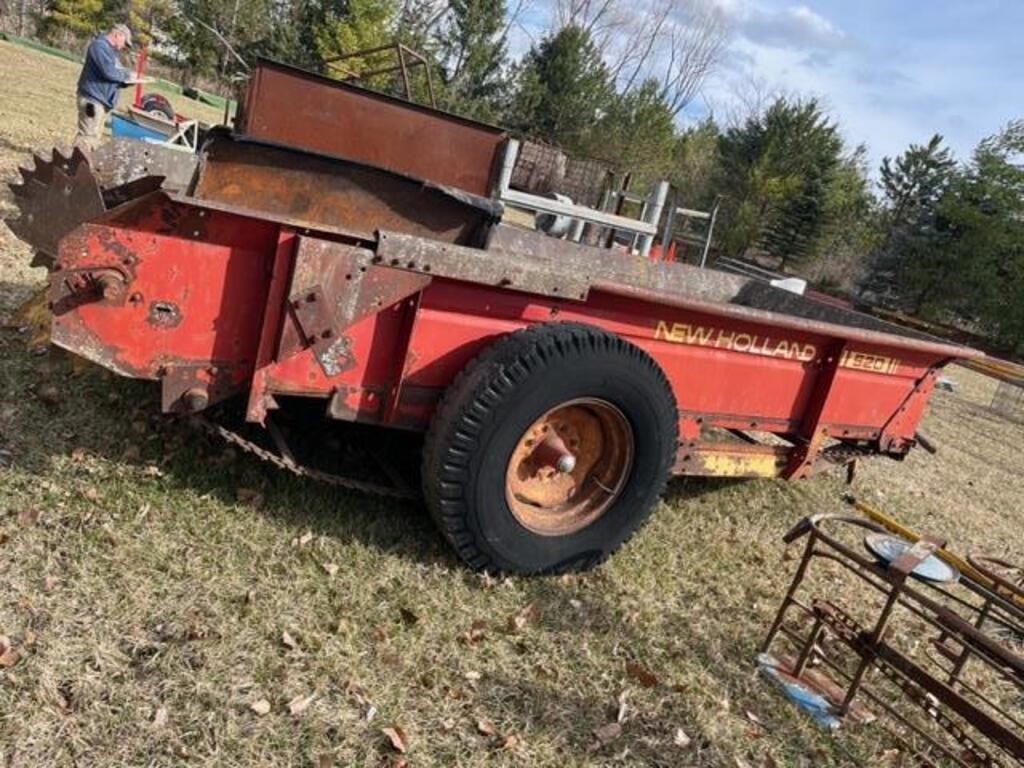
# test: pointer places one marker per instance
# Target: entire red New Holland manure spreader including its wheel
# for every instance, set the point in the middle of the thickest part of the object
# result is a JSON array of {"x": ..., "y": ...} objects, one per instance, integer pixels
[{"x": 349, "y": 248}]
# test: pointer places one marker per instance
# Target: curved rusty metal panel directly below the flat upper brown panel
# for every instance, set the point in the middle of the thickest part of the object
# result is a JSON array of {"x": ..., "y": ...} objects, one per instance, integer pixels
[{"x": 313, "y": 191}]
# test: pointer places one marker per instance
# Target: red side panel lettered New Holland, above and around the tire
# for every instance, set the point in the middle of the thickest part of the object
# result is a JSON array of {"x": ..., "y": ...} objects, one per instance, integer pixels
[{"x": 743, "y": 376}]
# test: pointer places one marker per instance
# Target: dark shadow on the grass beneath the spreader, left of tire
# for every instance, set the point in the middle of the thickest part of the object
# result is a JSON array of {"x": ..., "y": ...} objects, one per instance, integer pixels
[{"x": 53, "y": 413}]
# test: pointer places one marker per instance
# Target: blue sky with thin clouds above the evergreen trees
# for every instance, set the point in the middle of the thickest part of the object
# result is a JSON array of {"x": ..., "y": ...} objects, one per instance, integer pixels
[{"x": 891, "y": 72}]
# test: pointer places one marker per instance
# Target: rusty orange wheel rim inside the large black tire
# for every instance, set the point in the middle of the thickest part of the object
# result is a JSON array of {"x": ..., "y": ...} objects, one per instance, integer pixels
[{"x": 570, "y": 467}]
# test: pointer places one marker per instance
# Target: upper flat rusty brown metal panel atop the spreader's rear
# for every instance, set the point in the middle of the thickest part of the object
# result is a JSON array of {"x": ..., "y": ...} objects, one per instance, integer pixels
[{"x": 288, "y": 106}]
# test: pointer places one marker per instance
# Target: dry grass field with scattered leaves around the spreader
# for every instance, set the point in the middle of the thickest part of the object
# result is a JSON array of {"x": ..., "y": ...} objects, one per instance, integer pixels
[{"x": 172, "y": 604}]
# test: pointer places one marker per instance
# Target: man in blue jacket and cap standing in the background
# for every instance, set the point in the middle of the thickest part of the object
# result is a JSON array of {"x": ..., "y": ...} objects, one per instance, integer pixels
[{"x": 102, "y": 76}]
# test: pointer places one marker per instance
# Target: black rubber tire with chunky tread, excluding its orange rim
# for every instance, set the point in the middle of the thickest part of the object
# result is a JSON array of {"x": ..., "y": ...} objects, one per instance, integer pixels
[{"x": 491, "y": 405}]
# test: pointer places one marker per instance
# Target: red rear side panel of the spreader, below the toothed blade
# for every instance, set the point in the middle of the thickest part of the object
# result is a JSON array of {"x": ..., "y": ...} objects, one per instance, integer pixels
[{"x": 156, "y": 290}]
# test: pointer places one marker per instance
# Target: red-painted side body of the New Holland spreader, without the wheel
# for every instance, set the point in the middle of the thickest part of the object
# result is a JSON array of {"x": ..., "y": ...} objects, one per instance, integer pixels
[{"x": 380, "y": 332}]
